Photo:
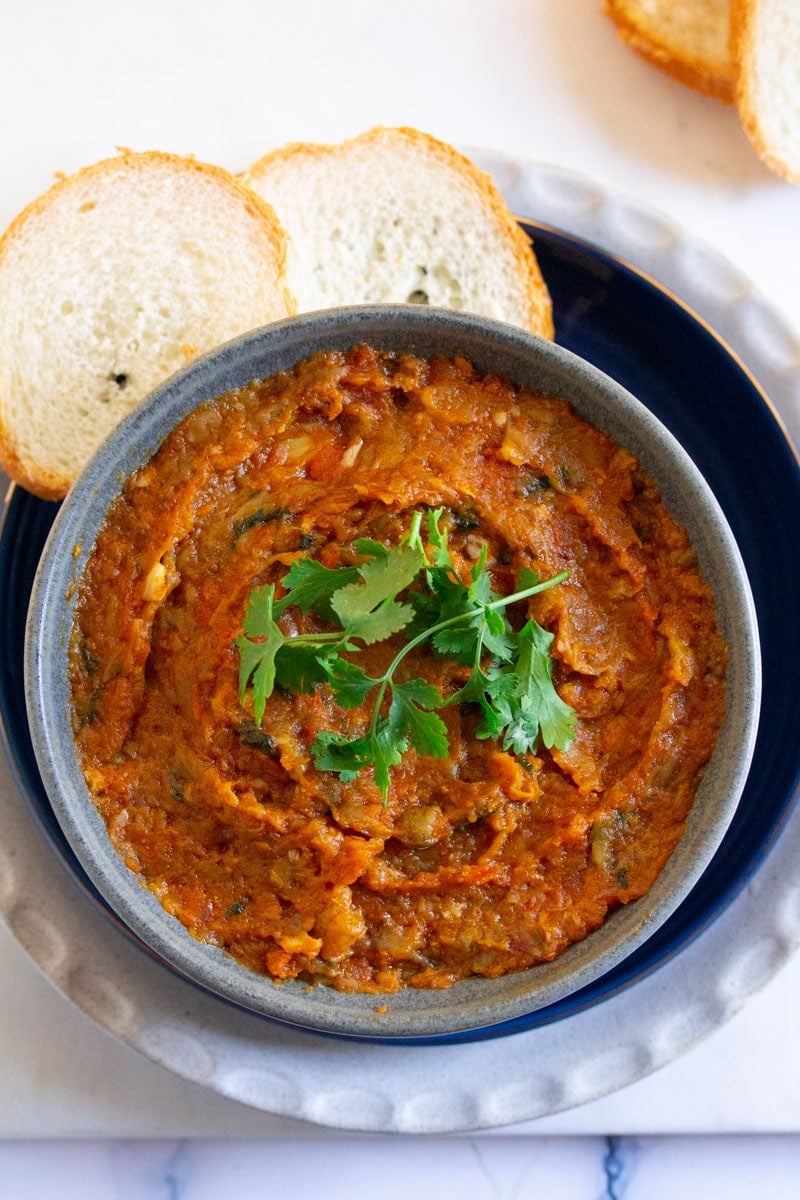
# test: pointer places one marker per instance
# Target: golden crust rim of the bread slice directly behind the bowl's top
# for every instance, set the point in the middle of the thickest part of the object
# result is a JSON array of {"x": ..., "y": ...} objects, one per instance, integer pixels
[{"x": 540, "y": 314}]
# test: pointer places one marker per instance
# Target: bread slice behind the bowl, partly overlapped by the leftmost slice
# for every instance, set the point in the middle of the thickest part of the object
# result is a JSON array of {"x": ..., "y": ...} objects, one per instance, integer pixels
[{"x": 395, "y": 217}]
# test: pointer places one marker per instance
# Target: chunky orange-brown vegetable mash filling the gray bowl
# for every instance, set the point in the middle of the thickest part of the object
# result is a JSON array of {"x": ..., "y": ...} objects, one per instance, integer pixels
[{"x": 482, "y": 863}]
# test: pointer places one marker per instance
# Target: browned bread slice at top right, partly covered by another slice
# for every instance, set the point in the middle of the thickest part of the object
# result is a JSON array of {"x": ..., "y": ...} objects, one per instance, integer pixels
[{"x": 687, "y": 38}]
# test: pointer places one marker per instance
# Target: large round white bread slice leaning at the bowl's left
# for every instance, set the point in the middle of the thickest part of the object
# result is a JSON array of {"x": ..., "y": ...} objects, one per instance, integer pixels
[{"x": 109, "y": 283}]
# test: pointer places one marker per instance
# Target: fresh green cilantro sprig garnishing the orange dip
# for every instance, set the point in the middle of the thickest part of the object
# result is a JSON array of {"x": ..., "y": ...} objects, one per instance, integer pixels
[{"x": 413, "y": 587}]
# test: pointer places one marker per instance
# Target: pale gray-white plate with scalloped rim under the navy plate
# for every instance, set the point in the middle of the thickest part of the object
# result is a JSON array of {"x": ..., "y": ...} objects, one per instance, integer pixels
[{"x": 436, "y": 1089}]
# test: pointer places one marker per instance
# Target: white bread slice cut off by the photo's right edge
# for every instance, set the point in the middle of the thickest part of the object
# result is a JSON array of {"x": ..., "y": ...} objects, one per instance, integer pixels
[{"x": 766, "y": 45}]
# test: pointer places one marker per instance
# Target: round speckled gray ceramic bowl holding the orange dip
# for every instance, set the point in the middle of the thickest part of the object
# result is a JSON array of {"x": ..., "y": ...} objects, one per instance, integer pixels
[{"x": 519, "y": 357}]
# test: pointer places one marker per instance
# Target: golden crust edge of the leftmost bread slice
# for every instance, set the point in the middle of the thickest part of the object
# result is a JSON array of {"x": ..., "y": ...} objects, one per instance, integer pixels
[{"x": 38, "y": 477}]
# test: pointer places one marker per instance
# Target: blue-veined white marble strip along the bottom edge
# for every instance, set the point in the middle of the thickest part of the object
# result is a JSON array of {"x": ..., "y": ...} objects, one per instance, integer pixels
[{"x": 468, "y": 1169}]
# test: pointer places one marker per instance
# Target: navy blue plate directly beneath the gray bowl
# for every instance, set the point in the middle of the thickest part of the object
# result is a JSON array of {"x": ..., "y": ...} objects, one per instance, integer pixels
[{"x": 640, "y": 335}]
